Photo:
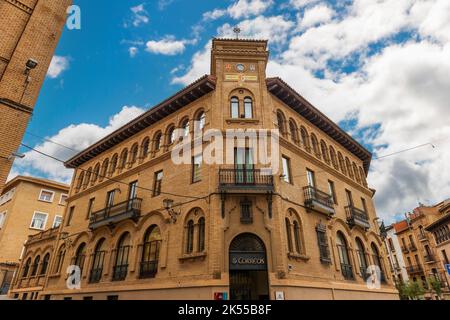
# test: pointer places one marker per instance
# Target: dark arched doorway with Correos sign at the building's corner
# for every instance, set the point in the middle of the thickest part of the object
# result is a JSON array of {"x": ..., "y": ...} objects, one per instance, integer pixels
[{"x": 248, "y": 268}]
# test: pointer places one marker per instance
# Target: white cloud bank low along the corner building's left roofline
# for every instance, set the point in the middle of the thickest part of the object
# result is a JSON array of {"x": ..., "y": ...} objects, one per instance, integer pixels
[{"x": 77, "y": 137}]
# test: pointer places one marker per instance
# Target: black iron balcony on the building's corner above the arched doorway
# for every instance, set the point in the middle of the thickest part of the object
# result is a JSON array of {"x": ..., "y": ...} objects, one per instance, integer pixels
[{"x": 249, "y": 180}]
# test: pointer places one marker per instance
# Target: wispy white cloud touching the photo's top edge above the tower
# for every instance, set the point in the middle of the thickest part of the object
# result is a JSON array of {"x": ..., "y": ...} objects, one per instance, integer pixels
[{"x": 240, "y": 9}]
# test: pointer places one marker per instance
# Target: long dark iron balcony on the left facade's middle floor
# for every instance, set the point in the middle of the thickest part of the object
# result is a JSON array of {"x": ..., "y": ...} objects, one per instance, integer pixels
[{"x": 130, "y": 209}]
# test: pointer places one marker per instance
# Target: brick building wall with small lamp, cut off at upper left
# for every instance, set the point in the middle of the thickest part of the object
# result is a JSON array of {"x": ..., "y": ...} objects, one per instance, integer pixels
[{"x": 29, "y": 33}]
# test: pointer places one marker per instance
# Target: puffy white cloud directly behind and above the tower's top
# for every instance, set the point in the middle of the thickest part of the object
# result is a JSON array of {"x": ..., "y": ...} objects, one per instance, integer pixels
[{"x": 275, "y": 28}]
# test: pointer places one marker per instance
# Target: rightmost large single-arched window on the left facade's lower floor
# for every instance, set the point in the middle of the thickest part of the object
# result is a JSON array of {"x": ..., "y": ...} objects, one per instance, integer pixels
[{"x": 150, "y": 252}]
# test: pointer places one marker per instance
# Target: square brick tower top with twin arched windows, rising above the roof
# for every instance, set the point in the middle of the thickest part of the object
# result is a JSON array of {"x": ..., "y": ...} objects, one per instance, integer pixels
[{"x": 239, "y": 66}]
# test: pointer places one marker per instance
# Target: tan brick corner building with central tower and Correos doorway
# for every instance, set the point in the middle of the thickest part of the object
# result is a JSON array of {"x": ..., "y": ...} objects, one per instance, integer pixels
[{"x": 308, "y": 233}]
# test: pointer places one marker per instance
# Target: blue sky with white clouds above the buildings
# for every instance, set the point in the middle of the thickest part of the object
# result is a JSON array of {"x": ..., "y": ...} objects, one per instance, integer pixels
[{"x": 380, "y": 69}]
